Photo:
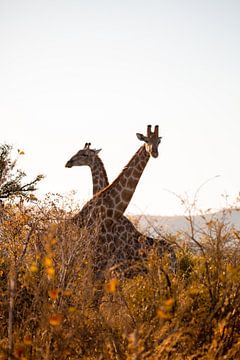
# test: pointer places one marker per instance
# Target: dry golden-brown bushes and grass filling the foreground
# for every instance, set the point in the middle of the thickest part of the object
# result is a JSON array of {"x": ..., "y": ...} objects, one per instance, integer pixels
[{"x": 47, "y": 291}]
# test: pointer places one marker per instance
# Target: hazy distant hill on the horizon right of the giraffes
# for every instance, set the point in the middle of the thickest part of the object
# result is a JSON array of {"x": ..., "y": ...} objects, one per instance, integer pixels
[{"x": 153, "y": 224}]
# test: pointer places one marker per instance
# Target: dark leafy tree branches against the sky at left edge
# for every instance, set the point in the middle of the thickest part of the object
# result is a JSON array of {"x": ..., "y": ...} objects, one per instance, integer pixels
[{"x": 11, "y": 180}]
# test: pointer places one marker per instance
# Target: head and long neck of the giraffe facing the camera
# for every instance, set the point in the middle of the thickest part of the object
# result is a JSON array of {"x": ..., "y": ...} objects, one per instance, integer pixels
[{"x": 109, "y": 204}]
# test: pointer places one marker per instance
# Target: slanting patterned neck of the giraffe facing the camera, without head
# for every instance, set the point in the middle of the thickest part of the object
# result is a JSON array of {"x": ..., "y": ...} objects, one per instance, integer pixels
[{"x": 119, "y": 193}]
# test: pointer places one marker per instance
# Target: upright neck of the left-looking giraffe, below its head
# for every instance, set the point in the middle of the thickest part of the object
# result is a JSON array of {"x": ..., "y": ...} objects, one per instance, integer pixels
[{"x": 99, "y": 175}]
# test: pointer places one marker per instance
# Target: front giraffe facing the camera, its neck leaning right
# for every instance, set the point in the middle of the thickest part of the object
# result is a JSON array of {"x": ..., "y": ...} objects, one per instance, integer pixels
[{"x": 106, "y": 208}]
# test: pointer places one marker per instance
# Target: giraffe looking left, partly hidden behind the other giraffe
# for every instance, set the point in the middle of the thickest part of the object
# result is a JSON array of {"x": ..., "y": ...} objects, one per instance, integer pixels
[{"x": 124, "y": 229}]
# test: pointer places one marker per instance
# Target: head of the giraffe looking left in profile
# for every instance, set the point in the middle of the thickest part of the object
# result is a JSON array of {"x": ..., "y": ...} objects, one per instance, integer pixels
[{"x": 86, "y": 156}]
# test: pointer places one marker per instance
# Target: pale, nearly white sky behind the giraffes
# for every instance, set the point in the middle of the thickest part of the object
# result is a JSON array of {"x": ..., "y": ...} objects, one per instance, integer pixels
[{"x": 99, "y": 71}]
